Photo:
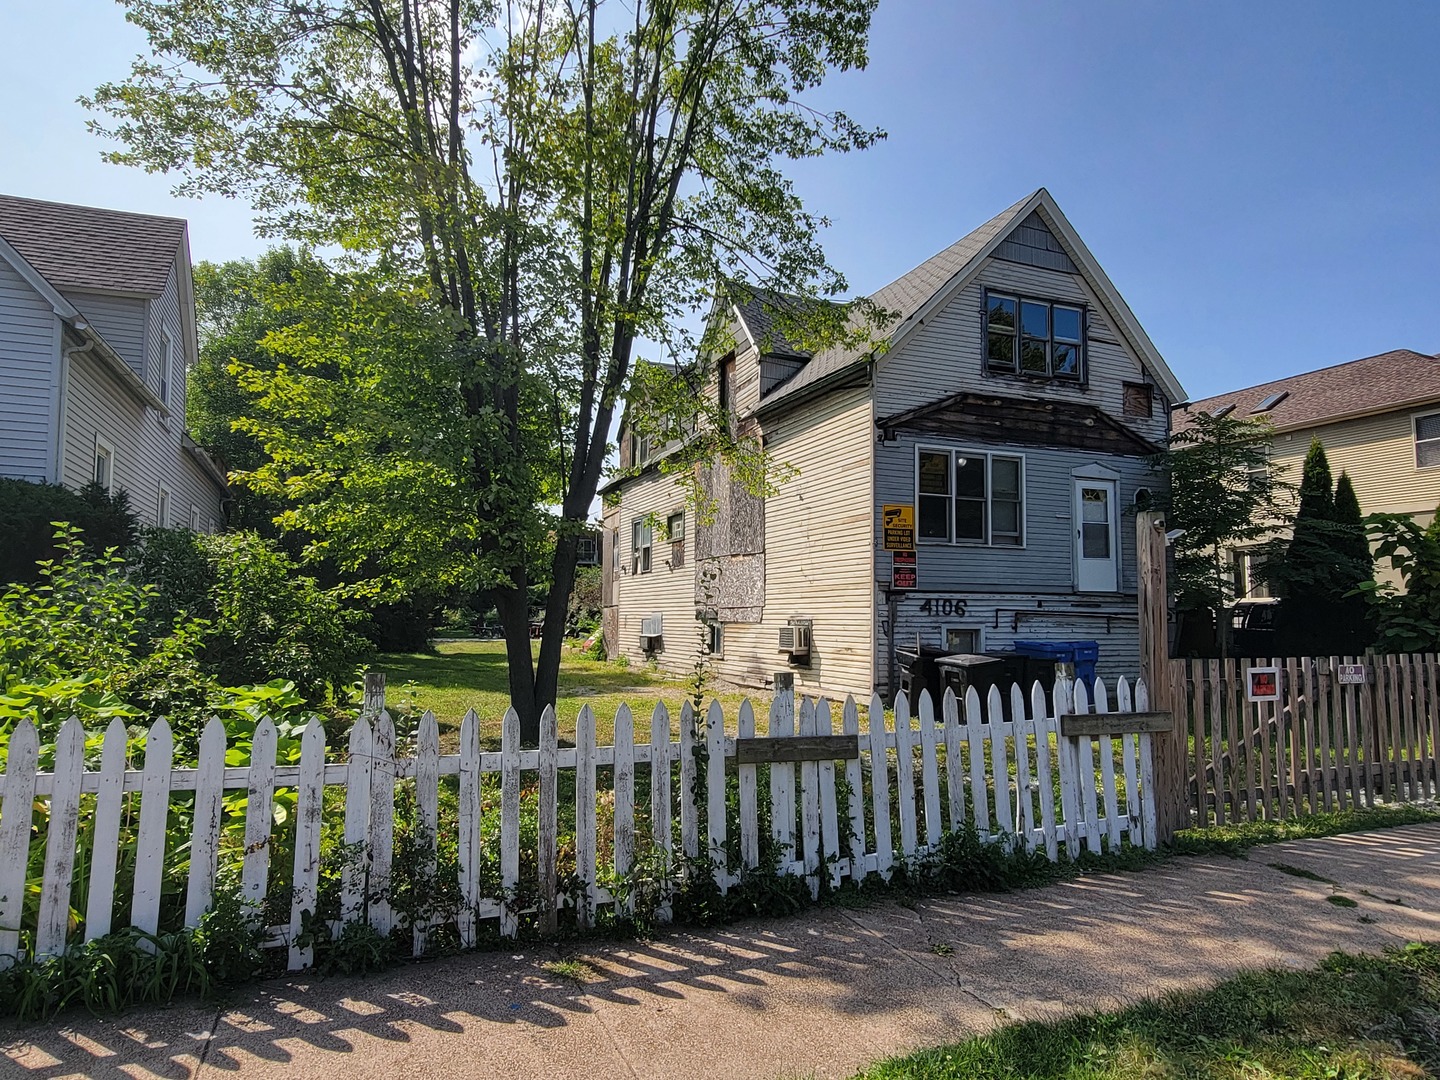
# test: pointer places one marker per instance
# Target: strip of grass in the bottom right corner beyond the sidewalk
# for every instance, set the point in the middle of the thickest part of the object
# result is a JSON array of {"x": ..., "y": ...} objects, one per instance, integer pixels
[{"x": 1351, "y": 1019}]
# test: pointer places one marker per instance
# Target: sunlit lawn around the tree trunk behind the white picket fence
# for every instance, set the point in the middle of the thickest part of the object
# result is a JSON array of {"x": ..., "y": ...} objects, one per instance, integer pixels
[{"x": 472, "y": 675}]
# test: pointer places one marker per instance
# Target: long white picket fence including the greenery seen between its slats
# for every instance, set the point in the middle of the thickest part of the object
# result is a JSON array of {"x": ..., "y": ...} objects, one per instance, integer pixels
[{"x": 420, "y": 846}]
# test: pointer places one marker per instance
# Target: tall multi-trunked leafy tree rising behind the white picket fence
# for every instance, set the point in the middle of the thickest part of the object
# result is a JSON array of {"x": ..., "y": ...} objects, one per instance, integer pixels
[{"x": 562, "y": 178}]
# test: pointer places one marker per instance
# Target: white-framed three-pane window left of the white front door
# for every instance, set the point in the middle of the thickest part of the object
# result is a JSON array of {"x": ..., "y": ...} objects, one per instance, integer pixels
[{"x": 971, "y": 498}]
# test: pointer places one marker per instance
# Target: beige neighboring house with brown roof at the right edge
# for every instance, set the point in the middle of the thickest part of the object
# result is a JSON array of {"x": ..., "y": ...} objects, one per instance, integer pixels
[{"x": 1379, "y": 420}]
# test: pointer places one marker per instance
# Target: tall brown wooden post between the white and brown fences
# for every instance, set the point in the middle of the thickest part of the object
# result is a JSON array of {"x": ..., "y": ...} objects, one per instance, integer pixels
[{"x": 1171, "y": 781}]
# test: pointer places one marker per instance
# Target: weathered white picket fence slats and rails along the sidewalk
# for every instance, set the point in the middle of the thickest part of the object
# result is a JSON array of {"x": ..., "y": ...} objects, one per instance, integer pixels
[{"x": 1002, "y": 775}]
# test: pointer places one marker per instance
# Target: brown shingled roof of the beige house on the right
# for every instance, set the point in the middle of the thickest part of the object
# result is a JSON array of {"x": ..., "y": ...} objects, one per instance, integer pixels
[{"x": 1374, "y": 384}]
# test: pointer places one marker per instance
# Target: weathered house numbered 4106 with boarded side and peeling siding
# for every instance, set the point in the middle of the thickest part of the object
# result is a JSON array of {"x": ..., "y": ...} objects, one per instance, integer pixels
[{"x": 1016, "y": 407}]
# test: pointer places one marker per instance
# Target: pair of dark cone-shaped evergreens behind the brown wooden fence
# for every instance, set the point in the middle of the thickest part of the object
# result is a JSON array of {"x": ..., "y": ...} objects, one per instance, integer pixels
[{"x": 1324, "y": 567}]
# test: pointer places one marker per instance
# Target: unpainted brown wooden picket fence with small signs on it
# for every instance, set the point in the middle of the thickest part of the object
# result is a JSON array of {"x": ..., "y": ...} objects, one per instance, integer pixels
[{"x": 1327, "y": 745}]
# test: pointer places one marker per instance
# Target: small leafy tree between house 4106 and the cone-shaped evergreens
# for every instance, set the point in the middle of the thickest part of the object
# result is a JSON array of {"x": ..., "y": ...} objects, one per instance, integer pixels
[{"x": 1222, "y": 493}]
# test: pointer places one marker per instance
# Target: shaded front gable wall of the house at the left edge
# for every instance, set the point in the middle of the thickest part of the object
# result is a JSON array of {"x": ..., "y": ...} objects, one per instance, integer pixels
[{"x": 28, "y": 351}]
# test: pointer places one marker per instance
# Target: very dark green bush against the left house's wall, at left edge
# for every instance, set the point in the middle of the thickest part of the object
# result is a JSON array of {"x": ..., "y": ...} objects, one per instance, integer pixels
[{"x": 28, "y": 516}]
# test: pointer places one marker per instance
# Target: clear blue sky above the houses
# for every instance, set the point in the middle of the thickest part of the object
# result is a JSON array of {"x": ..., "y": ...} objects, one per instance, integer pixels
[{"x": 1262, "y": 181}]
